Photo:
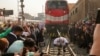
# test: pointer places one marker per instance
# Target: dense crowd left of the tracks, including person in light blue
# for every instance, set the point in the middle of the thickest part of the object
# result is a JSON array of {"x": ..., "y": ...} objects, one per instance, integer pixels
[{"x": 22, "y": 40}]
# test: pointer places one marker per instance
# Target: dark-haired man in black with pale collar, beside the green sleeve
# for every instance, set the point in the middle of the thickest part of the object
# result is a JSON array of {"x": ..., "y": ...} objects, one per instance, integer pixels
[{"x": 14, "y": 35}]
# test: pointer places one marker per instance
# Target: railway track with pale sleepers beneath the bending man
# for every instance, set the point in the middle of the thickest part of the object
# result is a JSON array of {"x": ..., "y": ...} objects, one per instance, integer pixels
[{"x": 53, "y": 51}]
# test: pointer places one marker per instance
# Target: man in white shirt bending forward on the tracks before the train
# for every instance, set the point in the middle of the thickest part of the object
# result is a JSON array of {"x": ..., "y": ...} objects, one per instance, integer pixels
[{"x": 61, "y": 42}]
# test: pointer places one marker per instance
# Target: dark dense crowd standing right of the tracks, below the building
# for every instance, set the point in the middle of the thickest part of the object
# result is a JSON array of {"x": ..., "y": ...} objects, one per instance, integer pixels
[{"x": 81, "y": 33}]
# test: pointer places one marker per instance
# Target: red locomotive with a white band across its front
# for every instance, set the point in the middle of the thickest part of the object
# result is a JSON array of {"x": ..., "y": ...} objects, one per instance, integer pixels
[{"x": 56, "y": 16}]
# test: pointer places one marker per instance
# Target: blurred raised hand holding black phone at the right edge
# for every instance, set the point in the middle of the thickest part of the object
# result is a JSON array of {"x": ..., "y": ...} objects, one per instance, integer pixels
[{"x": 95, "y": 51}]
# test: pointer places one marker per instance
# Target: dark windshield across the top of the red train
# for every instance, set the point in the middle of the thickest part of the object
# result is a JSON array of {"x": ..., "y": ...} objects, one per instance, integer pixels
[{"x": 57, "y": 4}]
